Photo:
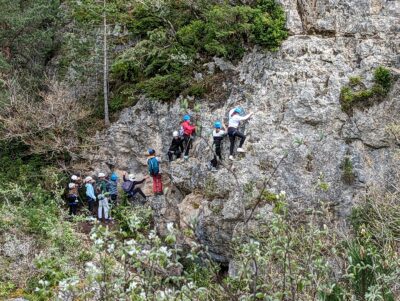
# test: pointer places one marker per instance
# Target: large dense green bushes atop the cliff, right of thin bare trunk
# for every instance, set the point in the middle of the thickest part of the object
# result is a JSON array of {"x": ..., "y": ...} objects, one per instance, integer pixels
[{"x": 180, "y": 36}]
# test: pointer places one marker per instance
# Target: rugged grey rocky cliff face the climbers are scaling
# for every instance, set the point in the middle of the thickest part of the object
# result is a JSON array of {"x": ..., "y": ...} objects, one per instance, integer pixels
[{"x": 298, "y": 133}]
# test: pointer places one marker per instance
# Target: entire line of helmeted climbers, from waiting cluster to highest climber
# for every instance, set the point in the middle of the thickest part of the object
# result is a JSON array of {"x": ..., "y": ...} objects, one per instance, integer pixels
[{"x": 104, "y": 191}]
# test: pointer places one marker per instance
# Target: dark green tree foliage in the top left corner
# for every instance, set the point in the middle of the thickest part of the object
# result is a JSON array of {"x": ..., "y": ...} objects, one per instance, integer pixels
[{"x": 27, "y": 38}]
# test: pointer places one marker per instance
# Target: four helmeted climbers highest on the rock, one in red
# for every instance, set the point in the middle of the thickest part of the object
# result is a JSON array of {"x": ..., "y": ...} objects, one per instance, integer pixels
[{"x": 182, "y": 140}]
